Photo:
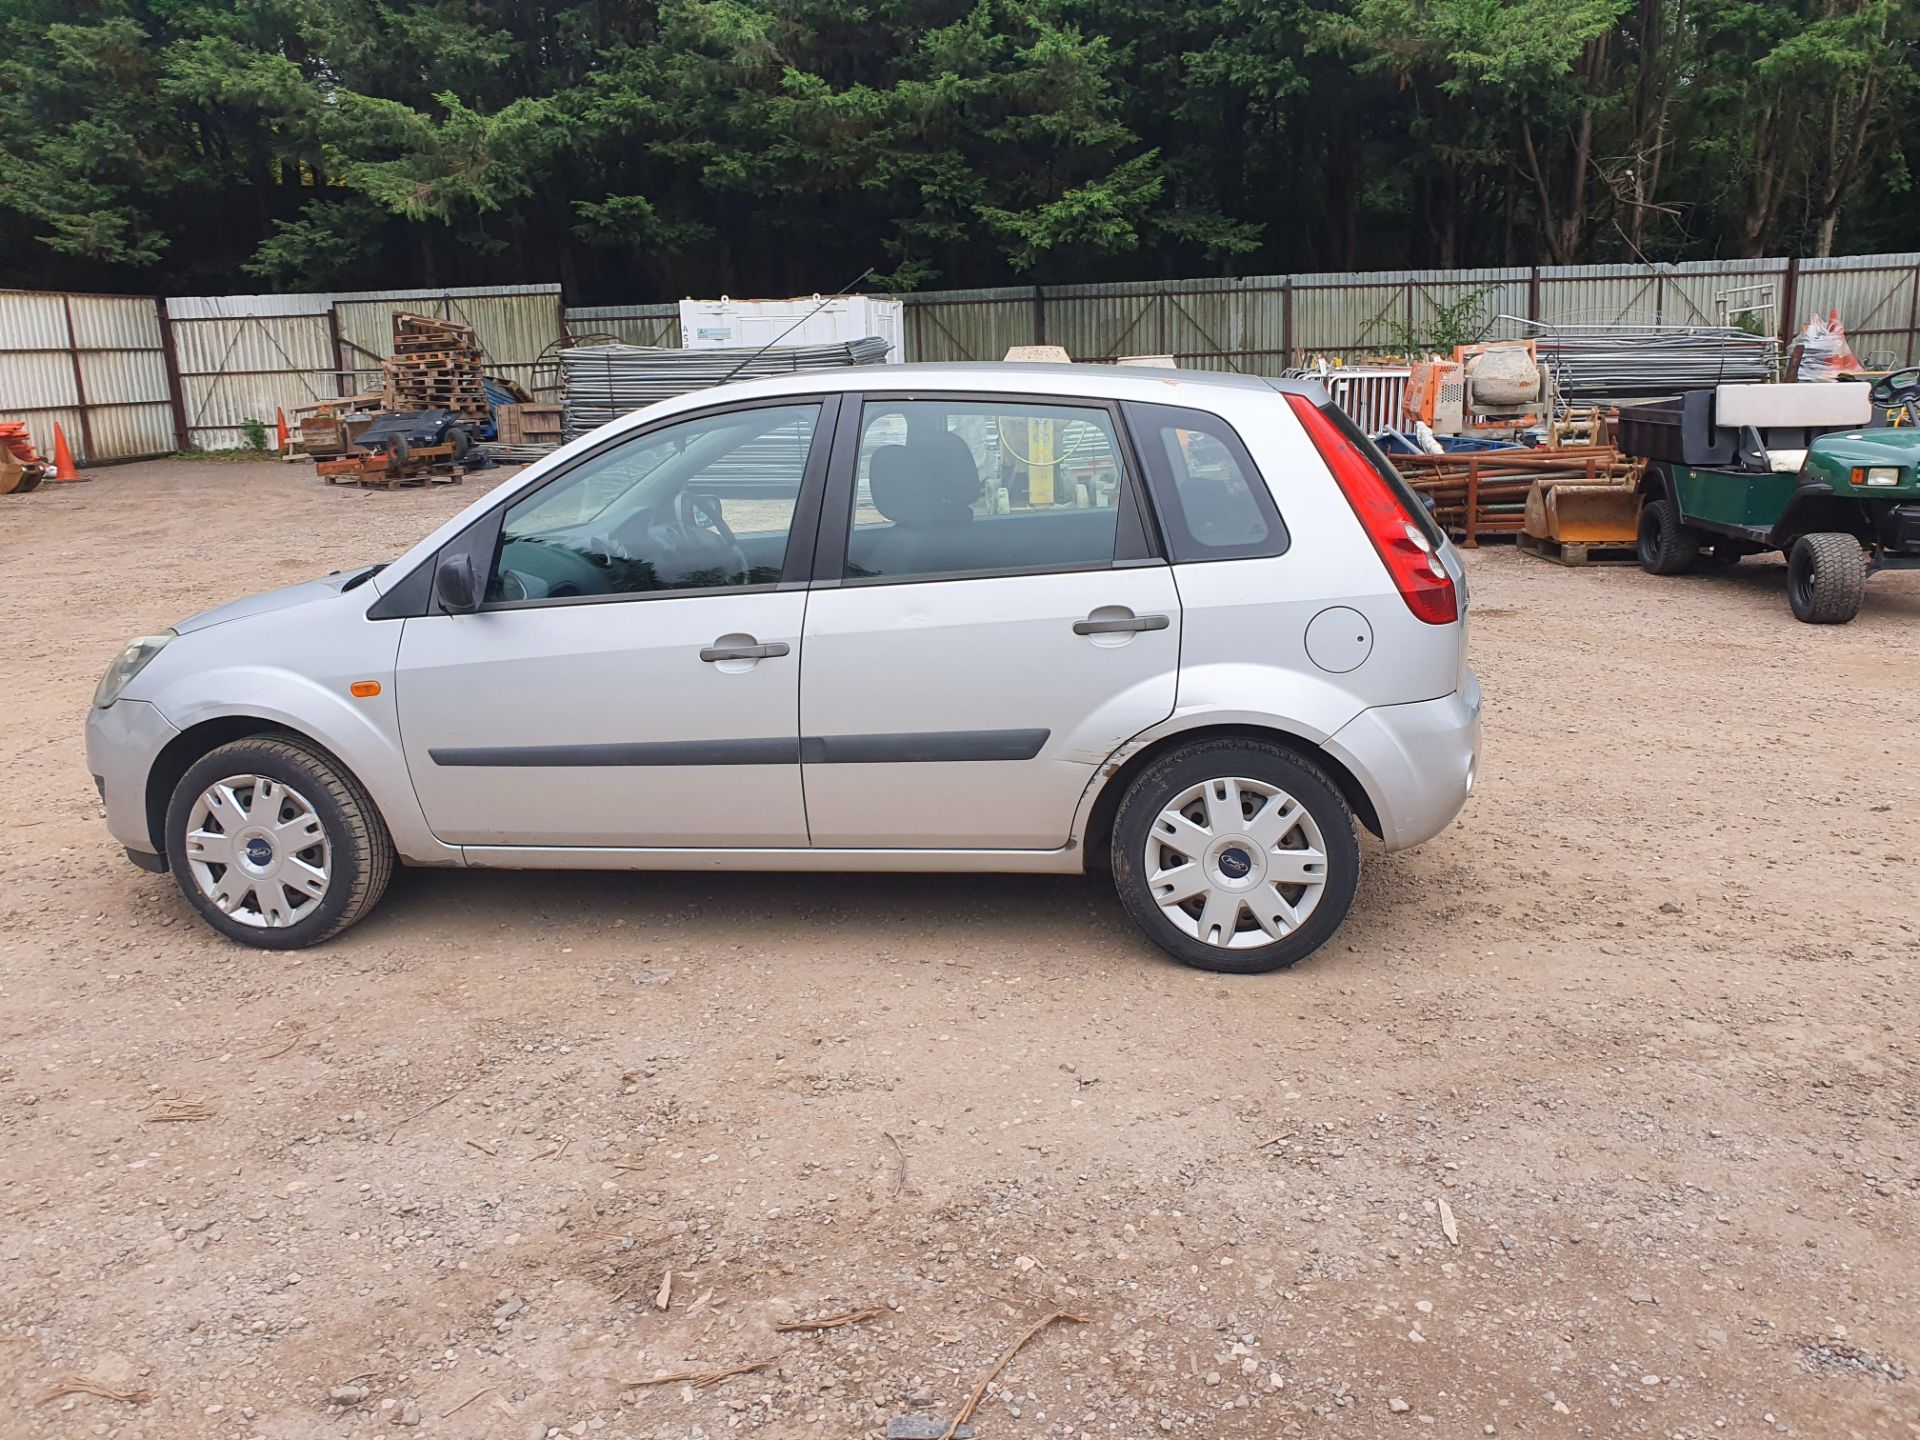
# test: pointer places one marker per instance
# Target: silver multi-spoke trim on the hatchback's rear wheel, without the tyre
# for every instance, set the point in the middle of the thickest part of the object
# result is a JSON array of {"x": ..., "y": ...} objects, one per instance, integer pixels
[{"x": 1236, "y": 863}]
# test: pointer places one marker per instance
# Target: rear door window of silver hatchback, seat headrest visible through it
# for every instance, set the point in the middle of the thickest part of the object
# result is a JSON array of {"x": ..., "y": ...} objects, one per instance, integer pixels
[{"x": 961, "y": 487}]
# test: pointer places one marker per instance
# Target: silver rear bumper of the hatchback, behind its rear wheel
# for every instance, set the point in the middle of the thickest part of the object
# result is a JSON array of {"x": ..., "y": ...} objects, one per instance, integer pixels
[{"x": 1416, "y": 761}]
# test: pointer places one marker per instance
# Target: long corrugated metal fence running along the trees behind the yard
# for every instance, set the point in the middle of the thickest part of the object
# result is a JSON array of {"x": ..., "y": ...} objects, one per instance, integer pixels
[{"x": 101, "y": 366}]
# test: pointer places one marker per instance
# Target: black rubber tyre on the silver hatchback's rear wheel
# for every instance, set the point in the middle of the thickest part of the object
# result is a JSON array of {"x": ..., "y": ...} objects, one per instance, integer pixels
[{"x": 1239, "y": 759}]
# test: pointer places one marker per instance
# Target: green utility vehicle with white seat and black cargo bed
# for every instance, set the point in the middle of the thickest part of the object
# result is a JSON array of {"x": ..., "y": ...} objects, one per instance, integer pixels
[{"x": 1806, "y": 469}]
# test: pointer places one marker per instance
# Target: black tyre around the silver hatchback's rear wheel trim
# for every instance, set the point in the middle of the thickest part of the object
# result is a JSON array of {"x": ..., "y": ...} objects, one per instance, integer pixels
[{"x": 1276, "y": 773}]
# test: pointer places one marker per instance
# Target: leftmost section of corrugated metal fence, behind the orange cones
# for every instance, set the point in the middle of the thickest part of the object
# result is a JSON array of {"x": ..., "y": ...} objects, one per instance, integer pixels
[{"x": 95, "y": 366}]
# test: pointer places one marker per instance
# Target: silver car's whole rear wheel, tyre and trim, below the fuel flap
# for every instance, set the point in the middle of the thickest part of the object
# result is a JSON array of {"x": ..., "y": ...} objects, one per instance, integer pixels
[{"x": 1236, "y": 855}]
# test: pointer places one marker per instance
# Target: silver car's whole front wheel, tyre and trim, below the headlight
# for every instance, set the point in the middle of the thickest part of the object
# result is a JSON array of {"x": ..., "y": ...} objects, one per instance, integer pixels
[{"x": 276, "y": 844}]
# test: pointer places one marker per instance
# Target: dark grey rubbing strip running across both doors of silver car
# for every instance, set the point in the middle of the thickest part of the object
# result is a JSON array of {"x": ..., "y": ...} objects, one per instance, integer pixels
[{"x": 928, "y": 748}]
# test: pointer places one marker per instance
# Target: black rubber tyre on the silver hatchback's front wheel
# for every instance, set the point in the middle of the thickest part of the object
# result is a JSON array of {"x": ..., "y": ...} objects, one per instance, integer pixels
[{"x": 360, "y": 850}]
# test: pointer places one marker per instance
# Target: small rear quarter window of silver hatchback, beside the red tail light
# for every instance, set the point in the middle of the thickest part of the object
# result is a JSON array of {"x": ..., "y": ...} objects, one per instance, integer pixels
[{"x": 1211, "y": 500}]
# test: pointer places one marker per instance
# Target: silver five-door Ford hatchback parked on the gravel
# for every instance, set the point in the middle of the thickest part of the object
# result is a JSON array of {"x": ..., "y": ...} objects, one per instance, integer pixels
[{"x": 936, "y": 617}]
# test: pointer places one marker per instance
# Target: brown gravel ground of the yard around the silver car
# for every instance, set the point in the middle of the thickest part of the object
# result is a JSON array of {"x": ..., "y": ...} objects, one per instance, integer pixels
[{"x": 1639, "y": 1030}]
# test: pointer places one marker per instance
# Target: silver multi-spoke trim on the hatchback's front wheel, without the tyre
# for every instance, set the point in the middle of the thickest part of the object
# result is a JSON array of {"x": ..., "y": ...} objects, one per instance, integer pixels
[{"x": 258, "y": 852}]
